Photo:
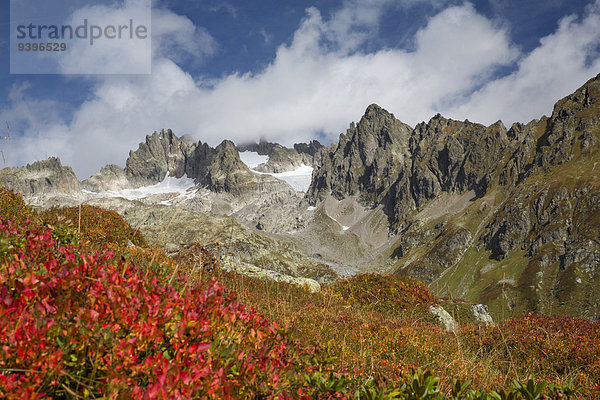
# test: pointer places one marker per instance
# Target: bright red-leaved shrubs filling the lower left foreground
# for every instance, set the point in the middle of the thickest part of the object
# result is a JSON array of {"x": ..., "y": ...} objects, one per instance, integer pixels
[{"x": 77, "y": 323}]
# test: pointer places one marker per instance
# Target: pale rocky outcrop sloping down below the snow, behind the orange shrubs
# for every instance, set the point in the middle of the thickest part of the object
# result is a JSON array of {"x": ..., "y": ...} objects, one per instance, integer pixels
[{"x": 170, "y": 228}]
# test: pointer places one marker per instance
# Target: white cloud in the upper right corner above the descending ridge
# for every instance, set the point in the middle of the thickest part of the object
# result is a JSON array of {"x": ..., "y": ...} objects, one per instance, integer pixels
[{"x": 562, "y": 62}]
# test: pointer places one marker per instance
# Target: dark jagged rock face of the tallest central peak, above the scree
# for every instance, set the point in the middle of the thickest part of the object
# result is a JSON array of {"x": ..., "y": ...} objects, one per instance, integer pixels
[{"x": 384, "y": 161}]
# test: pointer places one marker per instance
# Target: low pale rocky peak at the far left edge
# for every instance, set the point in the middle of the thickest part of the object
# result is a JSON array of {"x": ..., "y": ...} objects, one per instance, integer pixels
[{"x": 47, "y": 177}]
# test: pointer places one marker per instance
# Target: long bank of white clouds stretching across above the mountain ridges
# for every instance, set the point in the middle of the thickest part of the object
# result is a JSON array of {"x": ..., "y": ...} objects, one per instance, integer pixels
[{"x": 317, "y": 84}]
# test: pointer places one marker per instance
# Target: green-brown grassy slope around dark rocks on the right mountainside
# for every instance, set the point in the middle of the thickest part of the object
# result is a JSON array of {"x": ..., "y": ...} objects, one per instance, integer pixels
[{"x": 510, "y": 286}]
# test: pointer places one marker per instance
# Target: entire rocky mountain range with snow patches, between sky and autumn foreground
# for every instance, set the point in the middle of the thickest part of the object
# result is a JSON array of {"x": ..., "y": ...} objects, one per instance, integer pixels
[{"x": 507, "y": 217}]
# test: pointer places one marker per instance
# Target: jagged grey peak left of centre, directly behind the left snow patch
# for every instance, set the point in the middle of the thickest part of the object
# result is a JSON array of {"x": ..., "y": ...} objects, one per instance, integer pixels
[{"x": 162, "y": 154}]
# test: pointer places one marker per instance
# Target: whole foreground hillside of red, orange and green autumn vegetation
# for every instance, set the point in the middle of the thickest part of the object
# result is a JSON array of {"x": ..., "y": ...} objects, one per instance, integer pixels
[{"x": 89, "y": 310}]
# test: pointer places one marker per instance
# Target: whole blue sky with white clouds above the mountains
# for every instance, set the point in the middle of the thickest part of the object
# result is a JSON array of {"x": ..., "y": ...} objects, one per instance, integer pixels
[{"x": 292, "y": 71}]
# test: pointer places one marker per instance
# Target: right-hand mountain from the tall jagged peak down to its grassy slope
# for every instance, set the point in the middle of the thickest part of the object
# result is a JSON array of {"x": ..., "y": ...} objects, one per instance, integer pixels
[{"x": 527, "y": 236}]
